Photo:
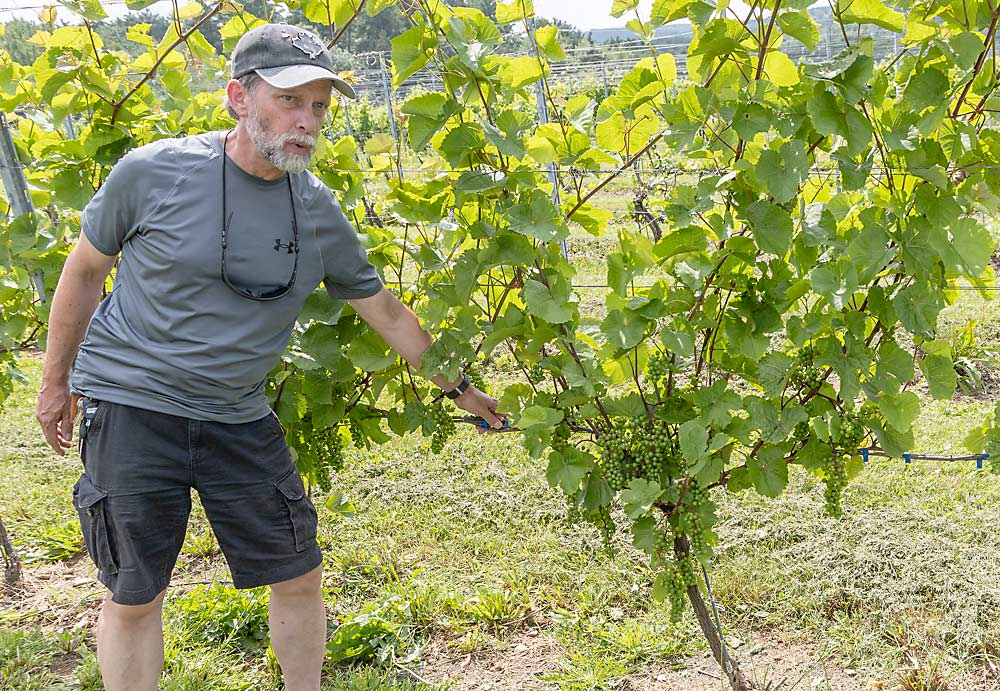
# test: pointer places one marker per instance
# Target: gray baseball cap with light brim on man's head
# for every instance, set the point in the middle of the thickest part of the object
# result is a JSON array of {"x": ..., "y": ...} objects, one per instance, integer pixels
[{"x": 285, "y": 56}]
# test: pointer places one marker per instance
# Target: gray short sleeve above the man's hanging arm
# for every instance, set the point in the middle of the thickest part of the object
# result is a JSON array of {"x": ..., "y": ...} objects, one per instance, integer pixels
[{"x": 112, "y": 214}]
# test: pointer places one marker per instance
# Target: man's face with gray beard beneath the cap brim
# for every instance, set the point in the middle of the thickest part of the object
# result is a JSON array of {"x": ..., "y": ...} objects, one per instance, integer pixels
[{"x": 283, "y": 123}]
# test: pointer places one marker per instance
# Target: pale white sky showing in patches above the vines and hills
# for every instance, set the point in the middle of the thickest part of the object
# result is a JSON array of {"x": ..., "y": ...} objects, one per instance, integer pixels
[{"x": 584, "y": 14}]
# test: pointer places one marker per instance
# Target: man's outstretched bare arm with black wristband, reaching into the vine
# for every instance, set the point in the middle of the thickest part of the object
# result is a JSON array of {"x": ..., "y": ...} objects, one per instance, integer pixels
[{"x": 400, "y": 328}]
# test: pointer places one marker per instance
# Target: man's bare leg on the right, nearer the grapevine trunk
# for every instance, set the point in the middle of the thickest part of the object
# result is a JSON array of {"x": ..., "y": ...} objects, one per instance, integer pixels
[{"x": 298, "y": 630}]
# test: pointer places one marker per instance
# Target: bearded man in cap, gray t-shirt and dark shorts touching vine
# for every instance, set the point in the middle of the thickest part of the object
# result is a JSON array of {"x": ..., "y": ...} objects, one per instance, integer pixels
[{"x": 222, "y": 237}]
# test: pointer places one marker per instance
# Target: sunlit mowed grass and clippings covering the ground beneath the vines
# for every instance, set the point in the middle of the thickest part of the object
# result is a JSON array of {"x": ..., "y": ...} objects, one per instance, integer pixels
[{"x": 469, "y": 551}]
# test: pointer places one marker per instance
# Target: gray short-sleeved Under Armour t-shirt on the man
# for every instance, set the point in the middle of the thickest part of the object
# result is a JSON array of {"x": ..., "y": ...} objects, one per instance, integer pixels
[{"x": 172, "y": 336}]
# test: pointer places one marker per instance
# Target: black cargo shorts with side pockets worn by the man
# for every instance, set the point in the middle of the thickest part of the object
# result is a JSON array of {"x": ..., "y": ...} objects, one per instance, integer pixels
[{"x": 134, "y": 498}]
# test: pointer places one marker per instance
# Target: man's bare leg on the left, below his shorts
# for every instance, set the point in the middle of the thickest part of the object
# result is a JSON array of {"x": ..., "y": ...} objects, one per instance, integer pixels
[{"x": 130, "y": 645}]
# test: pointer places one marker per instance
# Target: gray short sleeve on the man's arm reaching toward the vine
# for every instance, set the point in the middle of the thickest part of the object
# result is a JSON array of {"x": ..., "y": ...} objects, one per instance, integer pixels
[{"x": 348, "y": 273}]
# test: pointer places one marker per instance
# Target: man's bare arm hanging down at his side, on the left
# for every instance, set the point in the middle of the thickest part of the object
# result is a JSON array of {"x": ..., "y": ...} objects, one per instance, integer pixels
[{"x": 73, "y": 305}]
